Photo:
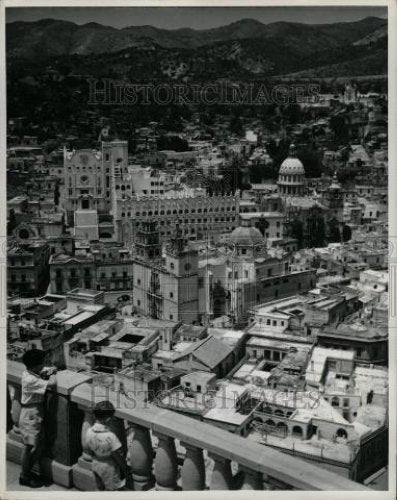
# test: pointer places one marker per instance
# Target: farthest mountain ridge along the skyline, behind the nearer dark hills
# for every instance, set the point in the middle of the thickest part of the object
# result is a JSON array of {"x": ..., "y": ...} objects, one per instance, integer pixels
[{"x": 51, "y": 37}]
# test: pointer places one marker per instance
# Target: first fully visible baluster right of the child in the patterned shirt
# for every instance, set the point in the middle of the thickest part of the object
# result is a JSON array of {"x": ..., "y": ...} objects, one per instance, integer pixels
[{"x": 141, "y": 457}]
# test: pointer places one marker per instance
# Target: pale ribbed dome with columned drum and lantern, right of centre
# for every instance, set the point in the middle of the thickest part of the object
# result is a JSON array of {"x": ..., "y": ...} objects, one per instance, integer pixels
[{"x": 291, "y": 176}]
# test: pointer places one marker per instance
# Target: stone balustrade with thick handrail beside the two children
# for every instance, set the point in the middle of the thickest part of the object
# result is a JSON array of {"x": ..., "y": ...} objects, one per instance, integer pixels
[{"x": 165, "y": 450}]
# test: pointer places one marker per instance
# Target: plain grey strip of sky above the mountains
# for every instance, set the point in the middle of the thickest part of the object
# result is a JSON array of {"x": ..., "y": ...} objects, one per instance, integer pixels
[{"x": 188, "y": 17}]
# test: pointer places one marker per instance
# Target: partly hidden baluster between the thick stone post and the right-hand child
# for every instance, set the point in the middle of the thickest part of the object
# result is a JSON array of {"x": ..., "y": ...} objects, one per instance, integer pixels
[{"x": 83, "y": 477}]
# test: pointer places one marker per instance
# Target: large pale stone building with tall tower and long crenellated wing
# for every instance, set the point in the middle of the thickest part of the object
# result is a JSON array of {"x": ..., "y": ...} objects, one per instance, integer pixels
[{"x": 103, "y": 182}]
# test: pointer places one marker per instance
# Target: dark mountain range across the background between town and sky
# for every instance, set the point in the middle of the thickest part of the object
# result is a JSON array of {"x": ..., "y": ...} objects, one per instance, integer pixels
[{"x": 241, "y": 49}]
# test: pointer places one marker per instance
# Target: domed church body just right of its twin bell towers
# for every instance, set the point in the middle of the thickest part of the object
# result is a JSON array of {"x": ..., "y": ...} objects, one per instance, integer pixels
[{"x": 244, "y": 275}]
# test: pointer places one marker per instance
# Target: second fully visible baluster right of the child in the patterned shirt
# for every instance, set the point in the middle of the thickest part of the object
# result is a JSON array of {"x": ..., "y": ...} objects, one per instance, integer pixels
[{"x": 166, "y": 464}]
